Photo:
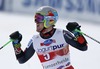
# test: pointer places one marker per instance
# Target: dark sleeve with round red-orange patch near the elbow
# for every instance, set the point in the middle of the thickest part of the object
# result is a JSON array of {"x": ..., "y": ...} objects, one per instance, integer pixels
[{"x": 77, "y": 42}]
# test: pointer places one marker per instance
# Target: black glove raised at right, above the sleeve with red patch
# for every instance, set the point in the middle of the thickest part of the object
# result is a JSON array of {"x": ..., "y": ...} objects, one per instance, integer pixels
[{"x": 71, "y": 26}]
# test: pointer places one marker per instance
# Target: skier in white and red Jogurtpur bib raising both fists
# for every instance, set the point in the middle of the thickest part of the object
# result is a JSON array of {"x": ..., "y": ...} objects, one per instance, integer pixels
[{"x": 51, "y": 44}]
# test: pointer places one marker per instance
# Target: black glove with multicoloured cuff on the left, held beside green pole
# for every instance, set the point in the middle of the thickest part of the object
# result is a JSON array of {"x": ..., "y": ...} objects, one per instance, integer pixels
[{"x": 16, "y": 37}]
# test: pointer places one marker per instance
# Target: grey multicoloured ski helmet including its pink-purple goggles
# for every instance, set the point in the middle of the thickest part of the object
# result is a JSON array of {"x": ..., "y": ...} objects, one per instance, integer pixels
[{"x": 46, "y": 15}]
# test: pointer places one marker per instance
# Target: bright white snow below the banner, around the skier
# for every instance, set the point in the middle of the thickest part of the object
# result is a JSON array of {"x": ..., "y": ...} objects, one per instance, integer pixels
[{"x": 9, "y": 23}]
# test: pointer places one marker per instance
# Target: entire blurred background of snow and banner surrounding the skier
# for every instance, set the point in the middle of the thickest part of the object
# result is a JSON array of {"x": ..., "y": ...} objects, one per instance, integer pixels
[{"x": 19, "y": 15}]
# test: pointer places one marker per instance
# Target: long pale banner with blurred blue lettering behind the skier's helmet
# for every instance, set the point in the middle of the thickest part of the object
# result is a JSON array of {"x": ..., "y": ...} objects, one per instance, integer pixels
[{"x": 88, "y": 10}]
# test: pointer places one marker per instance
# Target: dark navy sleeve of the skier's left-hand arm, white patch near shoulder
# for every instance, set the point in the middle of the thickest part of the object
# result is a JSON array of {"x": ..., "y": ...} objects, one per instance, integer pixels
[{"x": 27, "y": 54}]
